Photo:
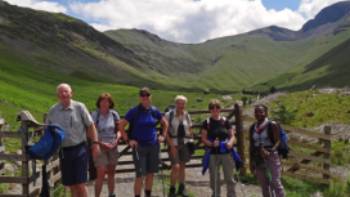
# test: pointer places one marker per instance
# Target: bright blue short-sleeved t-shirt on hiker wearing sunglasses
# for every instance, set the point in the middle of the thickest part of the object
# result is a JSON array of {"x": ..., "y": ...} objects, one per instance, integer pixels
[{"x": 144, "y": 122}]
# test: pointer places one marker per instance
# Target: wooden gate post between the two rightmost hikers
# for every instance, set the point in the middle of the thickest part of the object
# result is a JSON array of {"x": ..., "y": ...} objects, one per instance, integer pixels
[{"x": 240, "y": 135}]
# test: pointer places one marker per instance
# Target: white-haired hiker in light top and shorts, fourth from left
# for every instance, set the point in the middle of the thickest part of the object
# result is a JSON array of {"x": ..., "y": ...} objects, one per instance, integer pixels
[{"x": 179, "y": 135}]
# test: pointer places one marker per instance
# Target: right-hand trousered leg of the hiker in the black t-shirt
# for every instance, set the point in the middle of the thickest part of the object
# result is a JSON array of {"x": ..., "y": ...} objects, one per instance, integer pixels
[{"x": 228, "y": 167}]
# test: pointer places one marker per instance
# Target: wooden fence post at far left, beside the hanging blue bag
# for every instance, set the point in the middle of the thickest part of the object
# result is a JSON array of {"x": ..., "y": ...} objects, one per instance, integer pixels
[{"x": 25, "y": 166}]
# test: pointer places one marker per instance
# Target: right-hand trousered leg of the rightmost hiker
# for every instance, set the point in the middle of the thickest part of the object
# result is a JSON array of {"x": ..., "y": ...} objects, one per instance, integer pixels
[{"x": 275, "y": 167}]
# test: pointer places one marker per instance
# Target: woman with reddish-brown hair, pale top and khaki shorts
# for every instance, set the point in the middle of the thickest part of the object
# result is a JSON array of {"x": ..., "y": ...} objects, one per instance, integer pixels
[{"x": 106, "y": 122}]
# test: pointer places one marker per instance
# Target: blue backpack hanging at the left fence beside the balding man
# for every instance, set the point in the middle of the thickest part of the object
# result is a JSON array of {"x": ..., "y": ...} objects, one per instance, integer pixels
[{"x": 48, "y": 144}]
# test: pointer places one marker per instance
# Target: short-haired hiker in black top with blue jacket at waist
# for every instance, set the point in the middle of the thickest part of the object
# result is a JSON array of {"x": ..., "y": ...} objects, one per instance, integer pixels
[{"x": 219, "y": 137}]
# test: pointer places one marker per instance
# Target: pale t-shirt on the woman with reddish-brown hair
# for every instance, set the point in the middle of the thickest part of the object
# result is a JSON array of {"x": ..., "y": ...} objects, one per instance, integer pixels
[{"x": 106, "y": 125}]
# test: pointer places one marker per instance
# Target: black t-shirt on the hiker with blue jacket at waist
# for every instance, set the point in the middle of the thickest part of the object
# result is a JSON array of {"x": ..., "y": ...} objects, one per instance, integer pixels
[{"x": 217, "y": 129}]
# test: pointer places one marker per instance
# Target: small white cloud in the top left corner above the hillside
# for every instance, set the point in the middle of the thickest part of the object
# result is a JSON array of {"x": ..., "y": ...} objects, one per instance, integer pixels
[{"x": 39, "y": 5}]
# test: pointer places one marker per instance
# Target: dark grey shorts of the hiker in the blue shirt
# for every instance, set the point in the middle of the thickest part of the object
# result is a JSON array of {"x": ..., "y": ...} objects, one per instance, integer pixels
[{"x": 146, "y": 159}]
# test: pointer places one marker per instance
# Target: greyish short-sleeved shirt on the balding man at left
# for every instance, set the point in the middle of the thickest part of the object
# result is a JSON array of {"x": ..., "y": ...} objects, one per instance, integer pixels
[{"x": 74, "y": 119}]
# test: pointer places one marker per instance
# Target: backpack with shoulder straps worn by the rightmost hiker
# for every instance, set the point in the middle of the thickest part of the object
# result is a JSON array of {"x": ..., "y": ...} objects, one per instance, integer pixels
[{"x": 283, "y": 148}]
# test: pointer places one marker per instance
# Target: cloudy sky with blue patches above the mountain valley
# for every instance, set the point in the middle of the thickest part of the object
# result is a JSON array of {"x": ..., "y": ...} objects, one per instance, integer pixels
[{"x": 185, "y": 21}]
